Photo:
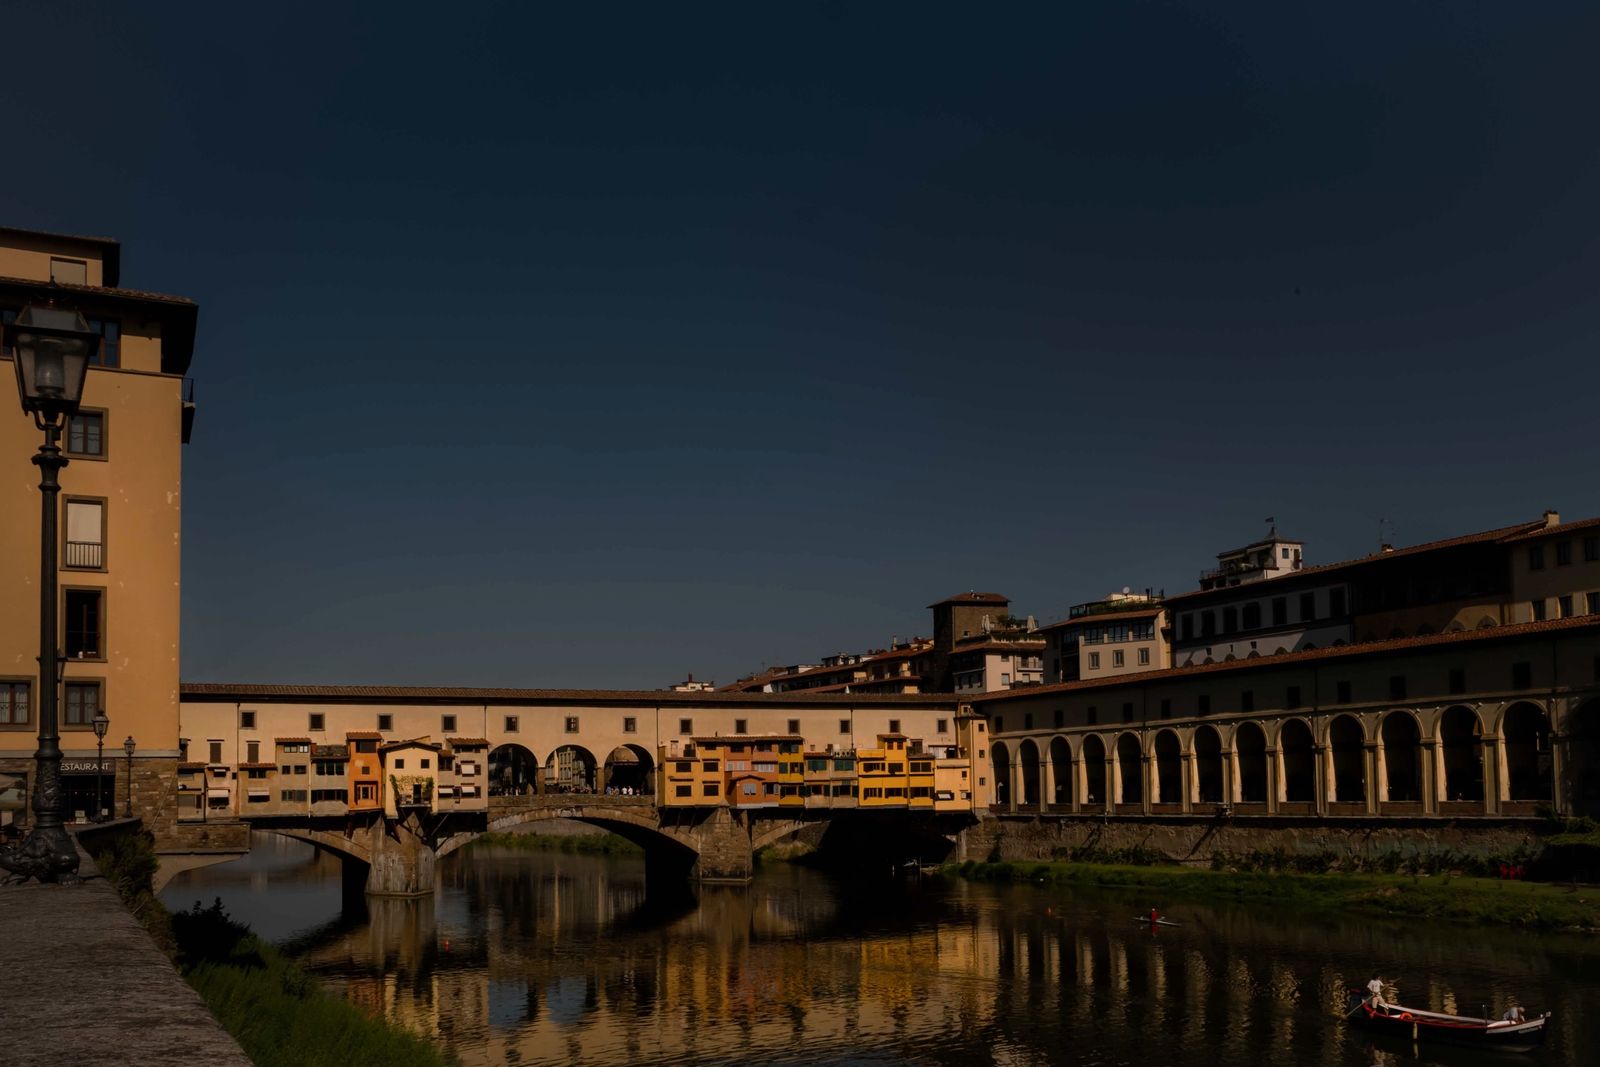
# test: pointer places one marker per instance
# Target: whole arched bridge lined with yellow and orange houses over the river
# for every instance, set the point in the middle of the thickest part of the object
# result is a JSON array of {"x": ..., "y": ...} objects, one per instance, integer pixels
[{"x": 393, "y": 780}]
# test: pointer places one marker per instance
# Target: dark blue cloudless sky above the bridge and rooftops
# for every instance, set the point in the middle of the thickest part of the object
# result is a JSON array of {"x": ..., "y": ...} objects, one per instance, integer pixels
[{"x": 599, "y": 348}]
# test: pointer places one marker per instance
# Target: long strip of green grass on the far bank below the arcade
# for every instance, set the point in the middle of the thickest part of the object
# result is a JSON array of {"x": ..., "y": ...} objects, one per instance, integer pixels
[{"x": 1442, "y": 897}]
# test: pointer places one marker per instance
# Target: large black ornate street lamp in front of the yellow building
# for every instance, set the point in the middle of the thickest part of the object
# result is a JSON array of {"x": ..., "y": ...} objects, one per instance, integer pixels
[{"x": 50, "y": 351}]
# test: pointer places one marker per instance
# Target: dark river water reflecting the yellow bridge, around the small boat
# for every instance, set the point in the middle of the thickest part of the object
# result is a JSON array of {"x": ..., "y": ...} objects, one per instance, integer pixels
[{"x": 558, "y": 959}]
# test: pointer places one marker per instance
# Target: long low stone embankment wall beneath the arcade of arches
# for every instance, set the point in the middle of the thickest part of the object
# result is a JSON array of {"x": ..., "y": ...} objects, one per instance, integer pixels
[{"x": 1196, "y": 842}]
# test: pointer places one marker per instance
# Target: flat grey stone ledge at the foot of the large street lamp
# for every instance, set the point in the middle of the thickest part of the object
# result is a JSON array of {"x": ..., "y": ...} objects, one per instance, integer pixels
[{"x": 86, "y": 985}]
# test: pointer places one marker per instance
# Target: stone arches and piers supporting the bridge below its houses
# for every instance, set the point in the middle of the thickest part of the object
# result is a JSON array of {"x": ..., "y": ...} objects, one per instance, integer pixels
[{"x": 398, "y": 858}]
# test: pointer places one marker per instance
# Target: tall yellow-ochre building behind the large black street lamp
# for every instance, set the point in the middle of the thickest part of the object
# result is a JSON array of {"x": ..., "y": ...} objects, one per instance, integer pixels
[{"x": 121, "y": 537}]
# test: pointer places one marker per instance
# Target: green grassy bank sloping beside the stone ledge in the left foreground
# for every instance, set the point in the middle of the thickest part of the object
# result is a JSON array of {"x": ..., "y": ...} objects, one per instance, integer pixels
[{"x": 278, "y": 1012}]
